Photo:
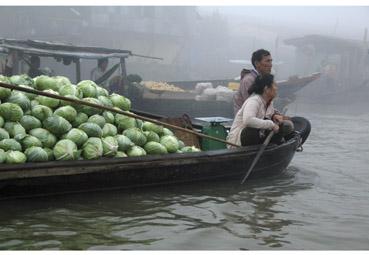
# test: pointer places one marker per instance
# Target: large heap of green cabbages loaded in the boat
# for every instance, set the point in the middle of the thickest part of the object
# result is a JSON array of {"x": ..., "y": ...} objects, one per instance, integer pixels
[{"x": 36, "y": 128}]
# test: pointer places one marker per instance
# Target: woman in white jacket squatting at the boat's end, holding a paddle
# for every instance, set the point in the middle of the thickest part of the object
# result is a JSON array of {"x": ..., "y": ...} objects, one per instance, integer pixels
[{"x": 257, "y": 116}]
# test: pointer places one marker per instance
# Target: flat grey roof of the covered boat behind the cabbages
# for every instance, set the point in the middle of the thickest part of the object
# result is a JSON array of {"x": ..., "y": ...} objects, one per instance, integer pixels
[{"x": 57, "y": 49}]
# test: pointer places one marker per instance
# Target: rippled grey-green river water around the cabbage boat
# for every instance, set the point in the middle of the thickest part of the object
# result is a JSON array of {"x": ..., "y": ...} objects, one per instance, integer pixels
[{"x": 320, "y": 202}]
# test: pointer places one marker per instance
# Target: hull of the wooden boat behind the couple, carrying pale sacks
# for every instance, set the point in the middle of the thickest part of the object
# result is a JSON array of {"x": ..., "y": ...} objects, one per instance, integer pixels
[{"x": 171, "y": 103}]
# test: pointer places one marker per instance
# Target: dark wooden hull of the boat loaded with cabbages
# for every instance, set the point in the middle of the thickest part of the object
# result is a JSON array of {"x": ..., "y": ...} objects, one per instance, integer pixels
[{"x": 60, "y": 177}]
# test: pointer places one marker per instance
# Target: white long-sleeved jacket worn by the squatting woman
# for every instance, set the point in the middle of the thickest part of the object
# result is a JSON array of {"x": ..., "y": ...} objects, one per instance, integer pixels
[{"x": 251, "y": 114}]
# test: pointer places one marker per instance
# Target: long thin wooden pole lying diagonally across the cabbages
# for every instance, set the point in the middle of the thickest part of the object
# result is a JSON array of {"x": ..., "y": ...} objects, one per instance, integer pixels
[{"x": 129, "y": 114}]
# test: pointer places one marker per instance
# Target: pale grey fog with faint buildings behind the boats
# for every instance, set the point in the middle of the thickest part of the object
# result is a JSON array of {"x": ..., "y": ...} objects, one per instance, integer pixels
[{"x": 210, "y": 42}]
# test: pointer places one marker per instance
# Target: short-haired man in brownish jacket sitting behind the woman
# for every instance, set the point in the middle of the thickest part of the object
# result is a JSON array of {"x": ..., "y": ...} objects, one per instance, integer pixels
[{"x": 262, "y": 62}]
